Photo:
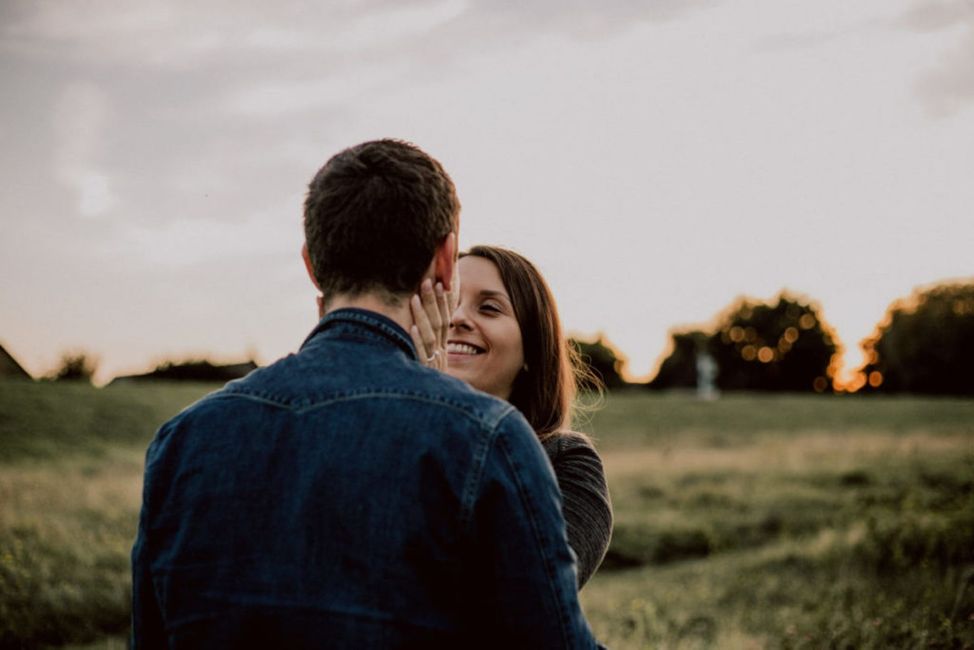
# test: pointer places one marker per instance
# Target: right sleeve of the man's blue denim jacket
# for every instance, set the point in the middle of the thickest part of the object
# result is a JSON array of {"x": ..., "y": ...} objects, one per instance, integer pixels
[{"x": 528, "y": 572}]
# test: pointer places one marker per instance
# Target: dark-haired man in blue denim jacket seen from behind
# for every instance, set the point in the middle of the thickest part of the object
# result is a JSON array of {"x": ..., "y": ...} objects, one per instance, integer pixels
[{"x": 347, "y": 496}]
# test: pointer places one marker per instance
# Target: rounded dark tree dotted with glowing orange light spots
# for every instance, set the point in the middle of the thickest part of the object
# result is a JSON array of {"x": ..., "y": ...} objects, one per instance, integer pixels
[{"x": 781, "y": 346}]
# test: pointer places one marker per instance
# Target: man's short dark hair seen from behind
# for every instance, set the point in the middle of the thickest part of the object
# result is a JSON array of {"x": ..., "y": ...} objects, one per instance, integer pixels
[{"x": 373, "y": 218}]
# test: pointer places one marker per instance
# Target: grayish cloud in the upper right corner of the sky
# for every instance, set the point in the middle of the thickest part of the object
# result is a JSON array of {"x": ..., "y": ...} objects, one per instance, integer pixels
[{"x": 948, "y": 87}]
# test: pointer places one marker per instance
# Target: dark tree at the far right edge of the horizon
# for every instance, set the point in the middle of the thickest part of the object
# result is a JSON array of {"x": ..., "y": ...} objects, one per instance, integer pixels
[{"x": 924, "y": 344}]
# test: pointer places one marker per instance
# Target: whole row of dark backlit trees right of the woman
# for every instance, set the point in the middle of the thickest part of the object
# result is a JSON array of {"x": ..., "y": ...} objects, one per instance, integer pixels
[{"x": 924, "y": 344}]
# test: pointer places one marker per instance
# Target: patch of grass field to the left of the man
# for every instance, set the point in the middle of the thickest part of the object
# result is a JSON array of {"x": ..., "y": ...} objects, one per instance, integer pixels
[{"x": 71, "y": 460}]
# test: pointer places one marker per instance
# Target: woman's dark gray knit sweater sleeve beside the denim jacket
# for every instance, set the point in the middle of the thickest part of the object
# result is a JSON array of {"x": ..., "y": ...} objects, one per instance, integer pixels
[{"x": 585, "y": 498}]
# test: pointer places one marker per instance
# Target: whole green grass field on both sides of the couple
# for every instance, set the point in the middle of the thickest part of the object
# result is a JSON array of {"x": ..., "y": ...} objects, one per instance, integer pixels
[{"x": 749, "y": 522}]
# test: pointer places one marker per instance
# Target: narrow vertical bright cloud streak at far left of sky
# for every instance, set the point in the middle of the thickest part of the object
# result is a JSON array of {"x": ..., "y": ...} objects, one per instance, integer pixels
[{"x": 80, "y": 120}]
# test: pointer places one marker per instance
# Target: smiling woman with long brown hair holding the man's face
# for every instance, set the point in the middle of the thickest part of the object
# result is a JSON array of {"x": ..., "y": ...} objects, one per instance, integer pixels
[{"x": 504, "y": 338}]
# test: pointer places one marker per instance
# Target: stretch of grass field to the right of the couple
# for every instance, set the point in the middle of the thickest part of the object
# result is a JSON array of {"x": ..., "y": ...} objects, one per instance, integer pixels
[{"x": 787, "y": 521}]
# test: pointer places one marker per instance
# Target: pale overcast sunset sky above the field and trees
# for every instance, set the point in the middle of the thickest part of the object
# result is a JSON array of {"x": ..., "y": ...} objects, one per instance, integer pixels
[{"x": 656, "y": 159}]
